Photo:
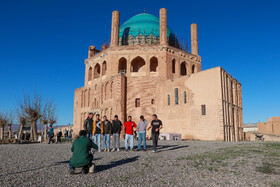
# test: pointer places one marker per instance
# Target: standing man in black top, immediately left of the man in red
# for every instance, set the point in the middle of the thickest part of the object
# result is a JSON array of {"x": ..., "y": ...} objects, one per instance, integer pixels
[{"x": 116, "y": 129}]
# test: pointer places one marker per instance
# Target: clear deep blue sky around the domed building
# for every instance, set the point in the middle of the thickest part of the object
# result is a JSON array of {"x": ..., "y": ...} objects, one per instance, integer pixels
[{"x": 43, "y": 45}]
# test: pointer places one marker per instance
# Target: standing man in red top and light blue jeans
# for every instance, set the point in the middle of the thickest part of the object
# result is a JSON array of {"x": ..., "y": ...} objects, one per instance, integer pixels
[{"x": 128, "y": 129}]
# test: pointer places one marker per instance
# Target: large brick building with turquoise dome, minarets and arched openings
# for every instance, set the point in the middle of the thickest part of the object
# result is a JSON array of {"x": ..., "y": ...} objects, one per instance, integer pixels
[{"x": 147, "y": 70}]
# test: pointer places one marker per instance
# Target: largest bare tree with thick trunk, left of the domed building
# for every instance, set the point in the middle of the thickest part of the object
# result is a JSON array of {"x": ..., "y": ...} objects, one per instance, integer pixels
[{"x": 30, "y": 108}]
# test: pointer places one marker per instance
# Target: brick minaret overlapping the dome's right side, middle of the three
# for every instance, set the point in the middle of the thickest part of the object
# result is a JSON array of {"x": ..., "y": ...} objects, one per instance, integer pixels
[{"x": 163, "y": 26}]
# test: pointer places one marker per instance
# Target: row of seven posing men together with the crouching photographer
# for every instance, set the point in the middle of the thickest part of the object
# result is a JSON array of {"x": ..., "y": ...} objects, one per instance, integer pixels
[{"x": 94, "y": 129}]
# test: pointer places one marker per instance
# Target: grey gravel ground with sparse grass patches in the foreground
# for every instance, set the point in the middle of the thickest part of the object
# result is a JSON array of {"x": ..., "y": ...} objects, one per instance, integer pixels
[{"x": 178, "y": 163}]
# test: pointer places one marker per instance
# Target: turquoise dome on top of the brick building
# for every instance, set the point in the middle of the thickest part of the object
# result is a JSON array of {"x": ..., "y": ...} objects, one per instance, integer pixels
[{"x": 144, "y": 24}]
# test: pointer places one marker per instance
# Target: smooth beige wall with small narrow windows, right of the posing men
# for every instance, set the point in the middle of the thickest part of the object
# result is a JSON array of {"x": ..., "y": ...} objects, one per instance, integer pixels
[{"x": 202, "y": 88}]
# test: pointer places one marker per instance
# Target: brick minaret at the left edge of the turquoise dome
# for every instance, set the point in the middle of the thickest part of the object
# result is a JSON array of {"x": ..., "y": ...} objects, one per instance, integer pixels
[{"x": 115, "y": 28}]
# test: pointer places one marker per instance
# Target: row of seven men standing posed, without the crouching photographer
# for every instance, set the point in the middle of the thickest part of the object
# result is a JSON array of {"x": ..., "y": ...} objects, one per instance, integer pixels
[{"x": 96, "y": 128}]
